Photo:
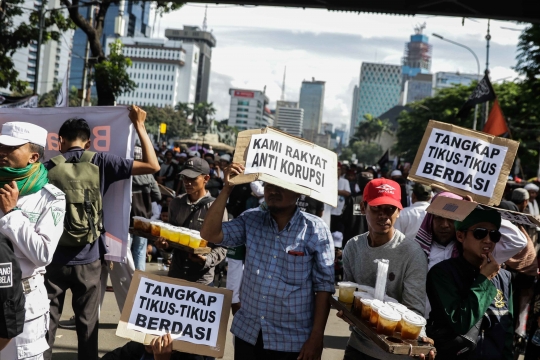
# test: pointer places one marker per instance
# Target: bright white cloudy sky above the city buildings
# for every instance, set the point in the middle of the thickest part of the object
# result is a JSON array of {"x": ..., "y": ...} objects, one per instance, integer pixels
[{"x": 254, "y": 44}]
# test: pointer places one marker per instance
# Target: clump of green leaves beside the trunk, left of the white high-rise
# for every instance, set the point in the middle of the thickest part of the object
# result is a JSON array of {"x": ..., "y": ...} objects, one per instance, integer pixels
[{"x": 113, "y": 71}]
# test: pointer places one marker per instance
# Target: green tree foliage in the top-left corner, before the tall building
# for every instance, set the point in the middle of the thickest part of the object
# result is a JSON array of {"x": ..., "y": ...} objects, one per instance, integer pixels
[{"x": 15, "y": 37}]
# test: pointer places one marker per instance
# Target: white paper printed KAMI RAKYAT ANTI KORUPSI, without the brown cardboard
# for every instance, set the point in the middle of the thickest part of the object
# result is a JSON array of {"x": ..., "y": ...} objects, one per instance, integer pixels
[{"x": 289, "y": 160}]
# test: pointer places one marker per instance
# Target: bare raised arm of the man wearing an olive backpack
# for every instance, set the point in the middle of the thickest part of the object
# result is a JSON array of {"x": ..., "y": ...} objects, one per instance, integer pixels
[{"x": 149, "y": 163}]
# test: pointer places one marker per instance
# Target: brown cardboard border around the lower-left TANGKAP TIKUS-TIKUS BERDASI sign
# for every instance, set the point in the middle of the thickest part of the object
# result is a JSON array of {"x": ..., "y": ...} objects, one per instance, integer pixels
[{"x": 179, "y": 345}]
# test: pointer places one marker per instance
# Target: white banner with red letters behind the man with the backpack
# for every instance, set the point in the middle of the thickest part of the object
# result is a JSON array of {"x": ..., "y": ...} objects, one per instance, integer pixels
[{"x": 104, "y": 121}]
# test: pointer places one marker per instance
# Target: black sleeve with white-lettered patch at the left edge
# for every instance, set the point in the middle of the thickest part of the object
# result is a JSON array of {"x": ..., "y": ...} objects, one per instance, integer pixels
[{"x": 12, "y": 298}]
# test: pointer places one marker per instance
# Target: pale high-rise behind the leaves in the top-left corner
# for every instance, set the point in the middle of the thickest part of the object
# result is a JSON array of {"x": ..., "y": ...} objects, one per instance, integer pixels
[{"x": 55, "y": 55}]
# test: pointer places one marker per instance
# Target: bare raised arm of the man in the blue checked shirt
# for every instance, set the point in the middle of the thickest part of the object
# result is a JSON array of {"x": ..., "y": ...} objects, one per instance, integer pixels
[{"x": 212, "y": 230}]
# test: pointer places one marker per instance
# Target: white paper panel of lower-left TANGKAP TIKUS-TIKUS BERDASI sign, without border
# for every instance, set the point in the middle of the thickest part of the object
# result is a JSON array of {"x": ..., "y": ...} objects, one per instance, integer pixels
[{"x": 187, "y": 313}]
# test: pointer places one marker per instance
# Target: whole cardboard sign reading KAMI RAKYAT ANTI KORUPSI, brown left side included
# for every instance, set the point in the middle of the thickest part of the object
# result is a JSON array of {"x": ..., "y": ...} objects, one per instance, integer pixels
[{"x": 292, "y": 163}]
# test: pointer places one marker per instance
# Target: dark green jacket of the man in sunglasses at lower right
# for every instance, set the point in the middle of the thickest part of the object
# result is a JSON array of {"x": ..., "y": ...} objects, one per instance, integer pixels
[{"x": 459, "y": 296}]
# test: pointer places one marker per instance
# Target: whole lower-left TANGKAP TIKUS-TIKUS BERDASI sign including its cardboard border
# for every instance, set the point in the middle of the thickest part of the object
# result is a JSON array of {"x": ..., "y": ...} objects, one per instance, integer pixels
[{"x": 195, "y": 315}]
